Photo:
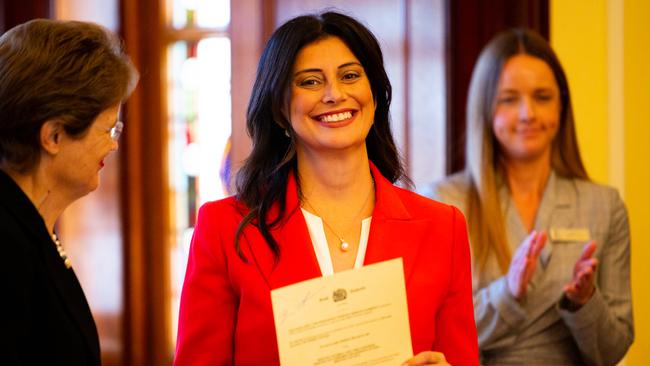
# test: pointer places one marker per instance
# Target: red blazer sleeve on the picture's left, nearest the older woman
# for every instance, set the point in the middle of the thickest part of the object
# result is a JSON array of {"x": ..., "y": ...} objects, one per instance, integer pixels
[{"x": 208, "y": 304}]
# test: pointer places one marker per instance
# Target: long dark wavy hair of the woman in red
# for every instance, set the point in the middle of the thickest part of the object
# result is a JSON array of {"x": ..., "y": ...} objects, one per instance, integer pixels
[{"x": 262, "y": 180}]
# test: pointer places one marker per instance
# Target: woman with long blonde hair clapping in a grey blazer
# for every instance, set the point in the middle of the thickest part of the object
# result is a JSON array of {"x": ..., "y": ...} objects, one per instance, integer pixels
[{"x": 550, "y": 248}]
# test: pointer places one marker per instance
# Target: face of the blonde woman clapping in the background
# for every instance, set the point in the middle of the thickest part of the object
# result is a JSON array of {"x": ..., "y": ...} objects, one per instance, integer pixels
[{"x": 527, "y": 112}]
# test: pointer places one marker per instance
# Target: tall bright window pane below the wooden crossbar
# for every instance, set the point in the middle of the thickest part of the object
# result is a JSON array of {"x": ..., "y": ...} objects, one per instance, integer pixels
[{"x": 199, "y": 130}]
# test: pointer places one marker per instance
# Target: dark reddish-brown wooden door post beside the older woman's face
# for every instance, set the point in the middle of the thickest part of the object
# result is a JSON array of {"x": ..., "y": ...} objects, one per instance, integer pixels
[{"x": 145, "y": 195}]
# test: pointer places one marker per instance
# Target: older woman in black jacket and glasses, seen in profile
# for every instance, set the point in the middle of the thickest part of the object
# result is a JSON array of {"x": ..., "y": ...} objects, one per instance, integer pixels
[{"x": 61, "y": 87}]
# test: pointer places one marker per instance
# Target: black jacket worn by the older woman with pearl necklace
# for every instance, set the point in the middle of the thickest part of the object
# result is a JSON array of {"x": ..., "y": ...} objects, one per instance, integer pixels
[{"x": 44, "y": 315}]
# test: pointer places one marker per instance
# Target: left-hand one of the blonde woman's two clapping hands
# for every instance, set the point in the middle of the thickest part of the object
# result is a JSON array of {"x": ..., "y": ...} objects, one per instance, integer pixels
[{"x": 524, "y": 262}]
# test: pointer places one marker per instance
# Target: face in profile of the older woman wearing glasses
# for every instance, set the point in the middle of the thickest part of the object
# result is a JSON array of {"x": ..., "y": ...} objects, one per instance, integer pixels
[{"x": 79, "y": 160}]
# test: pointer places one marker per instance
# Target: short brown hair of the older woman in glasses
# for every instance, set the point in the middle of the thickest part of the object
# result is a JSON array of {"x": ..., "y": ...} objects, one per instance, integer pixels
[{"x": 65, "y": 70}]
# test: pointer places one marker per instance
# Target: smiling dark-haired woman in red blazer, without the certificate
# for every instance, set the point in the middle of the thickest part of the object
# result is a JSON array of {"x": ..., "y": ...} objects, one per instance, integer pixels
[{"x": 316, "y": 196}]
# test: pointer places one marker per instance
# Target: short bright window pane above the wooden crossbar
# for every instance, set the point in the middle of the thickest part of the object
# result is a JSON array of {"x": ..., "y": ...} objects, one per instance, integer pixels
[{"x": 201, "y": 13}]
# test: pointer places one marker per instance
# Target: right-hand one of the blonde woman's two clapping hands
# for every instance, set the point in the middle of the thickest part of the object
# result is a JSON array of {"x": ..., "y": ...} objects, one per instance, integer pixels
[{"x": 582, "y": 286}]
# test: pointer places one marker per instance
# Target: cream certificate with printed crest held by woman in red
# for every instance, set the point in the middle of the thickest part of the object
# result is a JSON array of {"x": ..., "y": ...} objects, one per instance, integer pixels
[{"x": 356, "y": 317}]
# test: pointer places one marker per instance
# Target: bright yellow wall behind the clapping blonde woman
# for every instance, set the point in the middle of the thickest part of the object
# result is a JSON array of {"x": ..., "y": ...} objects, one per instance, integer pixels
[{"x": 579, "y": 34}]
